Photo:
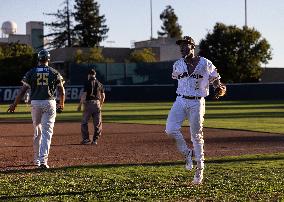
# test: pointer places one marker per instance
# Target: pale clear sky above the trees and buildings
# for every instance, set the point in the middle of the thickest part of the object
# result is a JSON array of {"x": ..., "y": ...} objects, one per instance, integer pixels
[{"x": 130, "y": 20}]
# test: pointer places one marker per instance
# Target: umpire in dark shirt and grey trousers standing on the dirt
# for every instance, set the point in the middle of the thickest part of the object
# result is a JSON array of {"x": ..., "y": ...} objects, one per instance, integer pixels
[{"x": 93, "y": 98}]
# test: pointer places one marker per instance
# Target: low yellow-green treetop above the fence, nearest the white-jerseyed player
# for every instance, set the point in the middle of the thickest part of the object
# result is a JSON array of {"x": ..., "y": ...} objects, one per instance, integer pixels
[{"x": 144, "y": 55}]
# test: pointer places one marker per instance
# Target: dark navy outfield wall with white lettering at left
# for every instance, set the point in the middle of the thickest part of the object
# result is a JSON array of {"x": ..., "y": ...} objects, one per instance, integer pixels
[{"x": 249, "y": 91}]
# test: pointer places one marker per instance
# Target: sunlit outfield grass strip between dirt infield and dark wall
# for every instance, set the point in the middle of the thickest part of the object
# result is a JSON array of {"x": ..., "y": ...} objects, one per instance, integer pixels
[{"x": 263, "y": 116}]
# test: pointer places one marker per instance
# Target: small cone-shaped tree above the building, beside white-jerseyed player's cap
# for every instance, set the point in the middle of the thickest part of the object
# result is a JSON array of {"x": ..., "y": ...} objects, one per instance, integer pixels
[{"x": 170, "y": 27}]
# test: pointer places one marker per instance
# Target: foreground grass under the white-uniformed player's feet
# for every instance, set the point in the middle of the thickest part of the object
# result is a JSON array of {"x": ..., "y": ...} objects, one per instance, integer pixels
[{"x": 246, "y": 178}]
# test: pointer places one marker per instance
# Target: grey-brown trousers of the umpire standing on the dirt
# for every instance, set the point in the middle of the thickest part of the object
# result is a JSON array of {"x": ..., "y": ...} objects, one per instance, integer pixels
[{"x": 91, "y": 109}]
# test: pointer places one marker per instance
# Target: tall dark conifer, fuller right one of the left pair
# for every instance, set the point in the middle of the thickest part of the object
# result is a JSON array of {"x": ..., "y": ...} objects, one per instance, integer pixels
[{"x": 91, "y": 28}]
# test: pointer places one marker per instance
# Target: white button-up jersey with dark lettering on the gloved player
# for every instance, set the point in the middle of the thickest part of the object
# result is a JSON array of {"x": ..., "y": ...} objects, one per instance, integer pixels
[{"x": 197, "y": 83}]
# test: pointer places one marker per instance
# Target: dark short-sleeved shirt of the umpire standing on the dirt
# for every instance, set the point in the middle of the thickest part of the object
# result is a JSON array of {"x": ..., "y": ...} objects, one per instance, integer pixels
[{"x": 94, "y": 89}]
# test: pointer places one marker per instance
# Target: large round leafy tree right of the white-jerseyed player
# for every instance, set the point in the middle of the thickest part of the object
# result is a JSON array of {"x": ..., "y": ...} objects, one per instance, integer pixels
[{"x": 237, "y": 53}]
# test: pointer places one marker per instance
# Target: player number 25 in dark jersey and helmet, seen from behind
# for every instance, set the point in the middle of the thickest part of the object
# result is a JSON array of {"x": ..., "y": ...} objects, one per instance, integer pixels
[{"x": 42, "y": 82}]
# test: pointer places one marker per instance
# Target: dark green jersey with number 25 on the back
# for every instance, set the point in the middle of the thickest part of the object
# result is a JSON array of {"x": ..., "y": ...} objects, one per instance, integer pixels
[{"x": 43, "y": 81}]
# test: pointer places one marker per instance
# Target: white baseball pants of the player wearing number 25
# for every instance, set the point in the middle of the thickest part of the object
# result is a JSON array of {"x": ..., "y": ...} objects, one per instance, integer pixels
[{"x": 43, "y": 116}]
